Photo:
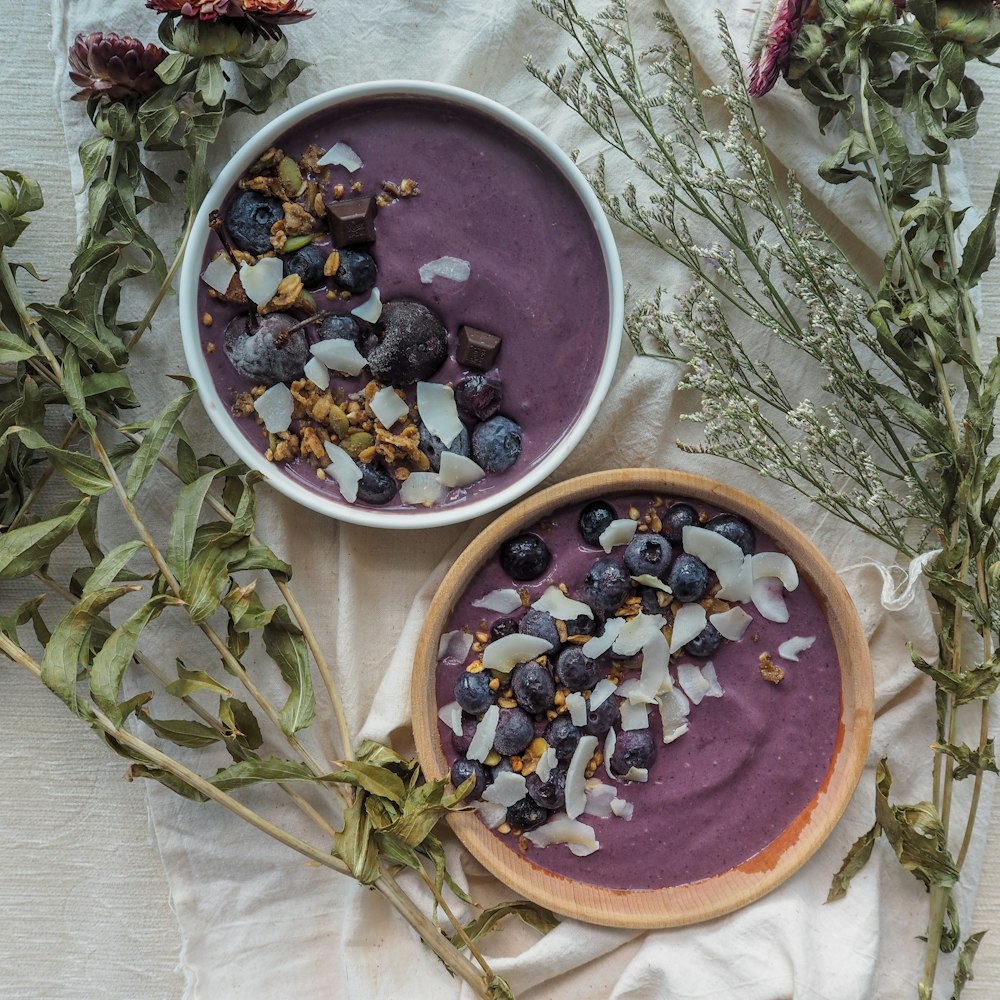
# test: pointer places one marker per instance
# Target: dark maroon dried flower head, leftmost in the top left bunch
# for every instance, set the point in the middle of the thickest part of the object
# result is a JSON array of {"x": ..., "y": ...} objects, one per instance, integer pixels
[{"x": 114, "y": 67}]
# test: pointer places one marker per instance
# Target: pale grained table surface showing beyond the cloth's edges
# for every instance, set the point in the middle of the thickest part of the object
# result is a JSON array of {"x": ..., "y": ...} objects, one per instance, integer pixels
[{"x": 85, "y": 903}]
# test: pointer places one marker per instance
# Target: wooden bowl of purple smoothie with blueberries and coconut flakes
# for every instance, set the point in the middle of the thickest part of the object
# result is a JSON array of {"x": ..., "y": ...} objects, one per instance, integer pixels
[{"x": 659, "y": 690}]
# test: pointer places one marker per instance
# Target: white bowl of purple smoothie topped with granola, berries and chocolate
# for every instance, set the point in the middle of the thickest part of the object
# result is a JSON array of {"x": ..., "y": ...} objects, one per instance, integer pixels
[{"x": 393, "y": 276}]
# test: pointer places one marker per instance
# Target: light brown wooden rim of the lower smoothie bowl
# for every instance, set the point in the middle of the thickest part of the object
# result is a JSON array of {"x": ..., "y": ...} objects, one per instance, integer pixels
[{"x": 710, "y": 897}]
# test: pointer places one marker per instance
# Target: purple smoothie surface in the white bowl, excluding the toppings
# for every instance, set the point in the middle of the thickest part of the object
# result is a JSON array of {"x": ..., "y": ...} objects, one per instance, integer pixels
[{"x": 487, "y": 196}]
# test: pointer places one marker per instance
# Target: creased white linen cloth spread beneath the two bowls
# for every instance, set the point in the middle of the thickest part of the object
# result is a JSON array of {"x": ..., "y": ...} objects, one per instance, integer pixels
[{"x": 258, "y": 922}]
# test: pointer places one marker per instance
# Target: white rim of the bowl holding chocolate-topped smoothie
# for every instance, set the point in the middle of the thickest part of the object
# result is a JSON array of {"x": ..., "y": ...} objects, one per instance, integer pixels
[{"x": 219, "y": 412}]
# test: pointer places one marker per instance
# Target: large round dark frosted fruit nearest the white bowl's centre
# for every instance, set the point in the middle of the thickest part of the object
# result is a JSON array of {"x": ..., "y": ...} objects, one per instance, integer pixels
[{"x": 413, "y": 344}]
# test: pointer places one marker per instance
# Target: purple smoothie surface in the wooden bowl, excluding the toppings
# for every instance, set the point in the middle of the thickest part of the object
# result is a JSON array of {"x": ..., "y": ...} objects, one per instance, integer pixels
[{"x": 749, "y": 764}]
